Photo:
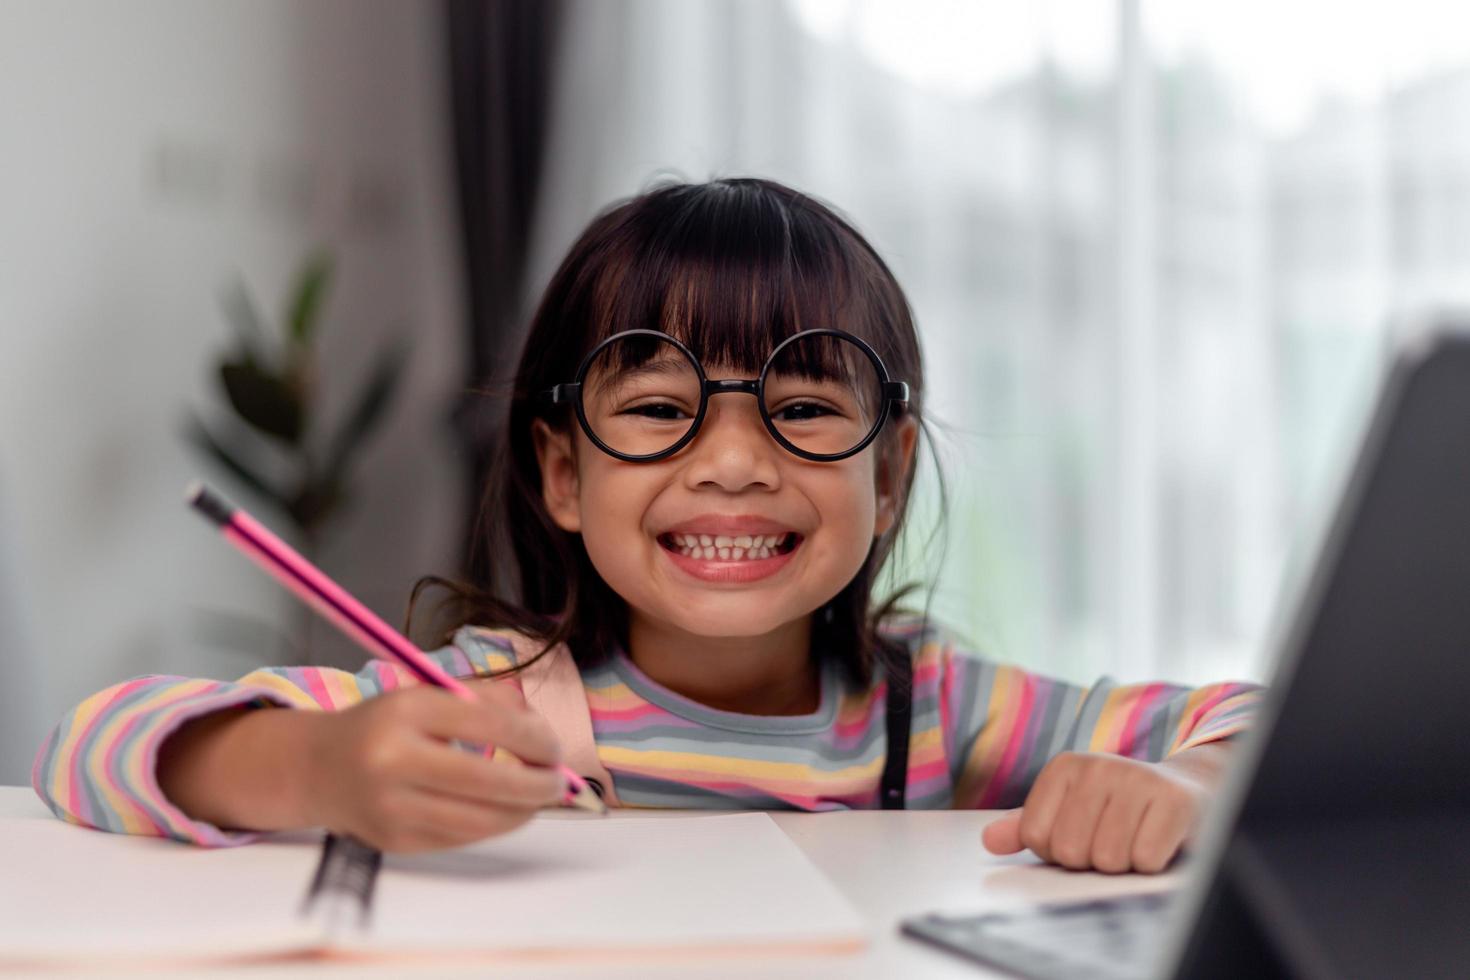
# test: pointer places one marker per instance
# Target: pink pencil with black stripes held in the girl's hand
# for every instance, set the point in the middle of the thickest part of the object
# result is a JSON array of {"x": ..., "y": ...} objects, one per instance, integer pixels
[{"x": 339, "y": 608}]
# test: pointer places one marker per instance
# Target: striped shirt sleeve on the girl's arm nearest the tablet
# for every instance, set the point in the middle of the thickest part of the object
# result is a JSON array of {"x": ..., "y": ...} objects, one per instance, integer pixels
[{"x": 1003, "y": 724}]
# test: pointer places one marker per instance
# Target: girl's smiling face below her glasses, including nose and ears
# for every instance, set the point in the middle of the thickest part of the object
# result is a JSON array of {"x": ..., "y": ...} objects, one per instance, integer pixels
[{"x": 646, "y": 525}]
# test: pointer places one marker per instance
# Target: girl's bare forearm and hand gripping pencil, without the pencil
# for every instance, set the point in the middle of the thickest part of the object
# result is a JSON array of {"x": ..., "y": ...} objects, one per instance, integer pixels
[{"x": 387, "y": 771}]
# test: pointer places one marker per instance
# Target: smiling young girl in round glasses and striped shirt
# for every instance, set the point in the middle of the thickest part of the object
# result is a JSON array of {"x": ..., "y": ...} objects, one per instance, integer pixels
[{"x": 709, "y": 453}]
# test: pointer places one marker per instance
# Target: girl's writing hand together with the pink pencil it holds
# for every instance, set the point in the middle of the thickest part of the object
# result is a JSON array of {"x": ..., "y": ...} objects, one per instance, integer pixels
[{"x": 392, "y": 771}]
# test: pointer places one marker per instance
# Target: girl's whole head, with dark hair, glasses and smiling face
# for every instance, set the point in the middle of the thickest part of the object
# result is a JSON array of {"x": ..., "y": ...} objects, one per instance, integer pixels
[{"x": 599, "y": 553}]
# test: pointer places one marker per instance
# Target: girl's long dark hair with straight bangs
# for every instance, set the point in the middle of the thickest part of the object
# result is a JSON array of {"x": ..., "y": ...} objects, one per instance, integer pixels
[{"x": 730, "y": 268}]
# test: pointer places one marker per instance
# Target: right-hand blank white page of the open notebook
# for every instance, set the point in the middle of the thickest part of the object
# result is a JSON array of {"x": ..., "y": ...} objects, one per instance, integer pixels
[{"x": 730, "y": 881}]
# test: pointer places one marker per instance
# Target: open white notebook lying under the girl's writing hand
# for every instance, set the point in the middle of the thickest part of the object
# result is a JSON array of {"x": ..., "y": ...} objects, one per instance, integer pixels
[{"x": 559, "y": 887}]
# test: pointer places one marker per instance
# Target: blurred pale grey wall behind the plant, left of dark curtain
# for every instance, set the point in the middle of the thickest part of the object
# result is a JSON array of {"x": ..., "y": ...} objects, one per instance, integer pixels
[{"x": 149, "y": 154}]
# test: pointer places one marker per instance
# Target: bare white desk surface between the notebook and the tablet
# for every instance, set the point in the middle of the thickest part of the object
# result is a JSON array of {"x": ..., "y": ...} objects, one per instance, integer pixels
[{"x": 890, "y": 865}]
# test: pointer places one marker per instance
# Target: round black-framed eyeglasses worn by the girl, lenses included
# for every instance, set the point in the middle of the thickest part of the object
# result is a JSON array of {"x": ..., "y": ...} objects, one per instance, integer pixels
[{"x": 642, "y": 396}]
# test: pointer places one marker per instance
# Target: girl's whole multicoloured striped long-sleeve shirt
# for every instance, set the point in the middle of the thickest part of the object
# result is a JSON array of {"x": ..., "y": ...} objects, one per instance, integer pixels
[{"x": 981, "y": 734}]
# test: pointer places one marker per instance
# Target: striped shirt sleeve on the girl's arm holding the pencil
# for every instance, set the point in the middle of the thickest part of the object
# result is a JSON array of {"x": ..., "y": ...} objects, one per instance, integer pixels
[{"x": 98, "y": 768}]
